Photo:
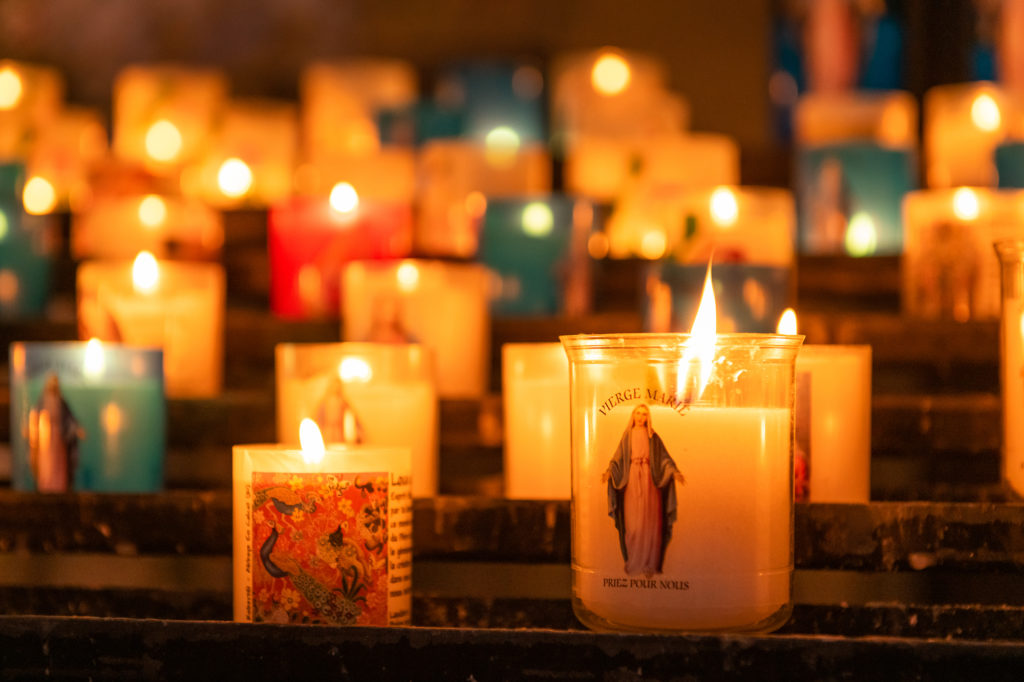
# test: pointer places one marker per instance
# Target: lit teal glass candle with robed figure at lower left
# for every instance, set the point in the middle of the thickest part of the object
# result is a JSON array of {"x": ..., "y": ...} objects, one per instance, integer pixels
[{"x": 88, "y": 417}]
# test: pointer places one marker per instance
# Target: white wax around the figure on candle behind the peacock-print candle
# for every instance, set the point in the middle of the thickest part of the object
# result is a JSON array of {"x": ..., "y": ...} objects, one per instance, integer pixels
[{"x": 400, "y": 414}]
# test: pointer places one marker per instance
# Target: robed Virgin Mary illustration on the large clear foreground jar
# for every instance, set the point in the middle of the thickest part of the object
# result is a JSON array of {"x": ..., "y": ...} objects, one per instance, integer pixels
[{"x": 643, "y": 495}]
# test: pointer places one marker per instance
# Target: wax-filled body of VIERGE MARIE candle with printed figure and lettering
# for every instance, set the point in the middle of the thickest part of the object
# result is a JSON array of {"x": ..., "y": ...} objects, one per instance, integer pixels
[{"x": 699, "y": 500}]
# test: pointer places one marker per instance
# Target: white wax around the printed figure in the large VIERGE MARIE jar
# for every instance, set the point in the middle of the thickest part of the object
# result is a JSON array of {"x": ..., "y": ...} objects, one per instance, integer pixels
[{"x": 729, "y": 564}]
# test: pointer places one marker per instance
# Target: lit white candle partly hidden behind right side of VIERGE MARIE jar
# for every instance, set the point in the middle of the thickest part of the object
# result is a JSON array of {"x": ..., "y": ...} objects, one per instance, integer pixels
[{"x": 833, "y": 414}]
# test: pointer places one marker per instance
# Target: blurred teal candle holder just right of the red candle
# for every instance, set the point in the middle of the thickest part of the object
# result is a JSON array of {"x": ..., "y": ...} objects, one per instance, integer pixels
[{"x": 538, "y": 247}]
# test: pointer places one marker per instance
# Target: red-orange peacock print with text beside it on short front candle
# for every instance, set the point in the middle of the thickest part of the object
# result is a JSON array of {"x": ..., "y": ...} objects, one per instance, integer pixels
[{"x": 332, "y": 549}]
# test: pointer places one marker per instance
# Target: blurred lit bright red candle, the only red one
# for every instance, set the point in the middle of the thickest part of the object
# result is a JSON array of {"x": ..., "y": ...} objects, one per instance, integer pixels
[{"x": 311, "y": 241}]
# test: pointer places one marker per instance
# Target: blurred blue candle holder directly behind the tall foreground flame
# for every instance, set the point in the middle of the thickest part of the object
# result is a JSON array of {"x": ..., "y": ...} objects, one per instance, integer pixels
[{"x": 750, "y": 299}]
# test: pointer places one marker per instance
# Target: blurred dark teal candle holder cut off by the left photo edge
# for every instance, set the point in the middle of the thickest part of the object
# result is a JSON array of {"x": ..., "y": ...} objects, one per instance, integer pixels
[{"x": 26, "y": 250}]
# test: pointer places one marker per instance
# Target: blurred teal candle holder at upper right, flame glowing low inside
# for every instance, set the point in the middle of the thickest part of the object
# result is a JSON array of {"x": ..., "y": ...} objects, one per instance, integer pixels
[{"x": 850, "y": 197}]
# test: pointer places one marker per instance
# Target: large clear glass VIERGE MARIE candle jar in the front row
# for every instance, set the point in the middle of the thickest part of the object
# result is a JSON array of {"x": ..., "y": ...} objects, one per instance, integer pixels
[{"x": 682, "y": 482}]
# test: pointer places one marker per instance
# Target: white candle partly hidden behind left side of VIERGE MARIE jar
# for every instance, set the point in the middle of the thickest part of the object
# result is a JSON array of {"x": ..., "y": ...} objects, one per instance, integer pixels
[{"x": 536, "y": 399}]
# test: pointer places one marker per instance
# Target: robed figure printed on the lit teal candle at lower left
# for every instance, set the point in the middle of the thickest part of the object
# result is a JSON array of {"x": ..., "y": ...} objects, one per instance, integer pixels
[{"x": 54, "y": 436}]
